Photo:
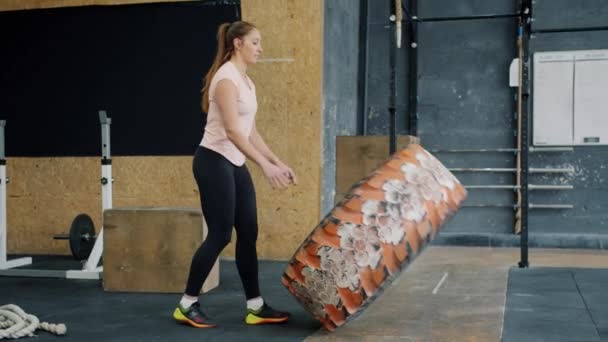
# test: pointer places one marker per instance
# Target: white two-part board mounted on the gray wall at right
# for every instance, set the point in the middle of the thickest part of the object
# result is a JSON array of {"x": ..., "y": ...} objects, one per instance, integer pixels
[{"x": 570, "y": 98}]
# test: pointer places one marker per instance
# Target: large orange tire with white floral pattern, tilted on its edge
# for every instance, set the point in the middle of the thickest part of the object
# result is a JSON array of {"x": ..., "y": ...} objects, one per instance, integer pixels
[{"x": 380, "y": 226}]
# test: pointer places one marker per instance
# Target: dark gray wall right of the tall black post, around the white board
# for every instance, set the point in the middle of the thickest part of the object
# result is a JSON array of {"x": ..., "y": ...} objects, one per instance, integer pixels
[{"x": 558, "y": 25}]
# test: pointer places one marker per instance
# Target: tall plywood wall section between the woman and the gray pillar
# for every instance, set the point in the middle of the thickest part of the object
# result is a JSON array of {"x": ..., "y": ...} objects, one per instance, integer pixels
[{"x": 289, "y": 83}]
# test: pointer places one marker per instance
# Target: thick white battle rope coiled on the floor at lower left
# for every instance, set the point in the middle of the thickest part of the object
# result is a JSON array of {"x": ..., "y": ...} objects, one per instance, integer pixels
[{"x": 16, "y": 323}]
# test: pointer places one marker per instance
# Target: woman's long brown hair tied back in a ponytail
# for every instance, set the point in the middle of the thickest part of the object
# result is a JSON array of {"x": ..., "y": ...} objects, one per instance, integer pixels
[{"x": 225, "y": 35}]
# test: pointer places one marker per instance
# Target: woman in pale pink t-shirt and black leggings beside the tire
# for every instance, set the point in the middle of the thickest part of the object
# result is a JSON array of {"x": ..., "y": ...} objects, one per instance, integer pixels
[{"x": 226, "y": 191}]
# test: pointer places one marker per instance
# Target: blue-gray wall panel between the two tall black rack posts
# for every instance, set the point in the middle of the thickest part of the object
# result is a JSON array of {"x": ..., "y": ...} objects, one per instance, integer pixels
[{"x": 465, "y": 103}]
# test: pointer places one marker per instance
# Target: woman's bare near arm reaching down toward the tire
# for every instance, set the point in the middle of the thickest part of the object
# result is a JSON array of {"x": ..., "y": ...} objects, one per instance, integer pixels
[{"x": 226, "y": 96}]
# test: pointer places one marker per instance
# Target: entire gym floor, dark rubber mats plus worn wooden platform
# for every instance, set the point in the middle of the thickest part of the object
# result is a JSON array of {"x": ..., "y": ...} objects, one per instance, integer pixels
[{"x": 446, "y": 294}]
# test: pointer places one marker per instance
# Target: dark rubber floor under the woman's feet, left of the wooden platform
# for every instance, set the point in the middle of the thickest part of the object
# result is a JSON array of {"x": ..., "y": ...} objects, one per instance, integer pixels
[{"x": 91, "y": 314}]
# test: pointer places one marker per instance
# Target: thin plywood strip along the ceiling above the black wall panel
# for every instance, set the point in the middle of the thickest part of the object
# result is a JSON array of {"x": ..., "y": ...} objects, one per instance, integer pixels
[{"x": 13, "y": 5}]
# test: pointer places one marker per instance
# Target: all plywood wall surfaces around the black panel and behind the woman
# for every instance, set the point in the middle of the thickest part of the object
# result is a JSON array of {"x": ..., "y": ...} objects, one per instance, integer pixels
[{"x": 45, "y": 194}]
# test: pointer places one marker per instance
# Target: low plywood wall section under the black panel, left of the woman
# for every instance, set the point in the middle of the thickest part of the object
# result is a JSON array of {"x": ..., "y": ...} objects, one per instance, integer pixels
[{"x": 45, "y": 194}]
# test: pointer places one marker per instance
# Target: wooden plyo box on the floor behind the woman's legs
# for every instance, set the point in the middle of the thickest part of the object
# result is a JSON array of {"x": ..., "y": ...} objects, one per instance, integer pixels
[{"x": 150, "y": 249}]
